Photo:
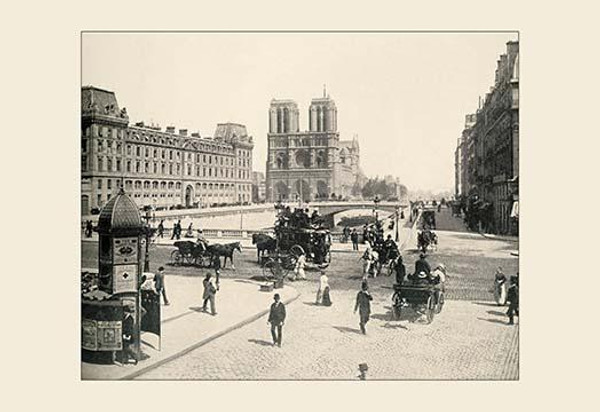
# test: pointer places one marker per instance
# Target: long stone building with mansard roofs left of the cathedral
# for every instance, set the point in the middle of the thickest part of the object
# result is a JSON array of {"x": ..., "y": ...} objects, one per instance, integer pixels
[{"x": 160, "y": 169}]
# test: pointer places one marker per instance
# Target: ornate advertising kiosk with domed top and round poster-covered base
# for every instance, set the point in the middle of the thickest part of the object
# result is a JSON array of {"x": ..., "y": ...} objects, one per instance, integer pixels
[{"x": 110, "y": 310}]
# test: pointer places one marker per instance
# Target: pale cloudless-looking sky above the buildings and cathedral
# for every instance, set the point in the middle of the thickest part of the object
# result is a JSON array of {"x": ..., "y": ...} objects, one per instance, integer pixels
[{"x": 404, "y": 94}]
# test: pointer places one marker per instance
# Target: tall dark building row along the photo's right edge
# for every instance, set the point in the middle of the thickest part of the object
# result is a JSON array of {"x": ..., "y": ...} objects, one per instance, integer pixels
[{"x": 490, "y": 148}]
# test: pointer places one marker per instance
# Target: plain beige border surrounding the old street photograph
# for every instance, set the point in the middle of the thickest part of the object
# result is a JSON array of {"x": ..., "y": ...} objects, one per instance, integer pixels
[{"x": 41, "y": 101}]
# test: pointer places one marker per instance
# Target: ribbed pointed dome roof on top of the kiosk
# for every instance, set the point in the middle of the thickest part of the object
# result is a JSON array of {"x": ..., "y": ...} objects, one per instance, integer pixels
[{"x": 119, "y": 214}]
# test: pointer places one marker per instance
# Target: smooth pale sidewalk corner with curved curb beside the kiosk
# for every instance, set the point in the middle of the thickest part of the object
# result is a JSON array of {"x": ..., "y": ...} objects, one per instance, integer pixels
[{"x": 185, "y": 327}]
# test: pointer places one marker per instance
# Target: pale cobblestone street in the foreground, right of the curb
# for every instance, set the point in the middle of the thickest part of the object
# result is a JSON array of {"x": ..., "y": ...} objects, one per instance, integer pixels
[{"x": 469, "y": 339}]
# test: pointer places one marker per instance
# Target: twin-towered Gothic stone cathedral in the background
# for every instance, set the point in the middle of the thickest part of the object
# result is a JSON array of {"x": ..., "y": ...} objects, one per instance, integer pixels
[{"x": 309, "y": 165}]
